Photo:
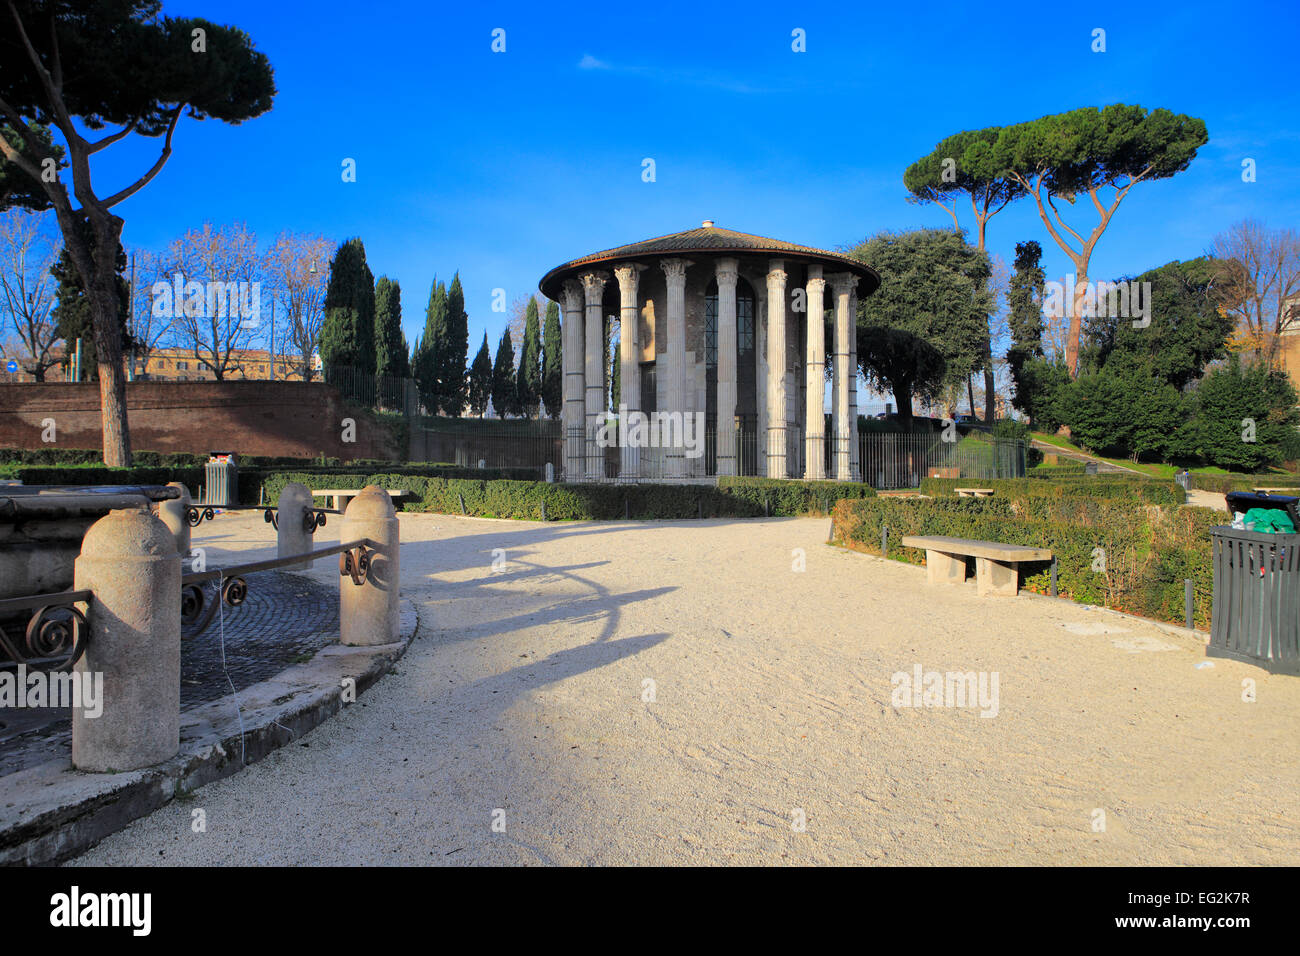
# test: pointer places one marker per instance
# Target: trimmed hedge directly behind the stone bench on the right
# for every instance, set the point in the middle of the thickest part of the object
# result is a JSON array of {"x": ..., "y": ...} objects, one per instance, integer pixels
[{"x": 1149, "y": 550}]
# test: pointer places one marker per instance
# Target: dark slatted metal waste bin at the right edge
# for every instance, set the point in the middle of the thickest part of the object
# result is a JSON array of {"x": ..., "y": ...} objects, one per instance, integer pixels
[{"x": 1256, "y": 611}]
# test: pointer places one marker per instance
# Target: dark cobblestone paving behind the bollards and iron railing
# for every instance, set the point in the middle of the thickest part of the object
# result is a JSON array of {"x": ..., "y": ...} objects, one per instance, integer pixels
[{"x": 285, "y": 620}]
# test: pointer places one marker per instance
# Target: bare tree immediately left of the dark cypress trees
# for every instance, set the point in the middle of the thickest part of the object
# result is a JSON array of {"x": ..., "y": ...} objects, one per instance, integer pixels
[{"x": 298, "y": 274}]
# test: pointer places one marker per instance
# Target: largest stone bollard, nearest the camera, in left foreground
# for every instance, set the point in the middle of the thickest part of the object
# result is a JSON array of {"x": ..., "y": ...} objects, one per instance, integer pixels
[{"x": 129, "y": 560}]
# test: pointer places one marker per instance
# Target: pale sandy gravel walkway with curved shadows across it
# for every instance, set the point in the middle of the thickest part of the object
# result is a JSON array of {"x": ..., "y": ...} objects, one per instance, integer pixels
[{"x": 773, "y": 702}]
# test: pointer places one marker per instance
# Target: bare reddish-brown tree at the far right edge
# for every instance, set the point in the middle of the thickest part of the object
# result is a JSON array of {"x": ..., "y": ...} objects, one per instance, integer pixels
[{"x": 1260, "y": 284}]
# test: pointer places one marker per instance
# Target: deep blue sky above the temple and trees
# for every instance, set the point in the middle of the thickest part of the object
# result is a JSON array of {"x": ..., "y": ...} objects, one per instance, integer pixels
[{"x": 504, "y": 166}]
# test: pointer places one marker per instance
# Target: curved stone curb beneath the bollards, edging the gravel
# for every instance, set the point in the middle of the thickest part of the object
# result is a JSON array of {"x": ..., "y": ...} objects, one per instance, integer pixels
[{"x": 51, "y": 812}]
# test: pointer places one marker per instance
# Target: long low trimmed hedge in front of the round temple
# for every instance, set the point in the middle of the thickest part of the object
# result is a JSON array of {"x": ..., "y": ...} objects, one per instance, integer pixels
[{"x": 734, "y": 498}]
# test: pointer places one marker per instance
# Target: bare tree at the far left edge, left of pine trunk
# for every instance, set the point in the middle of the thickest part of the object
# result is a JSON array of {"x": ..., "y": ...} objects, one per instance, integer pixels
[{"x": 28, "y": 250}]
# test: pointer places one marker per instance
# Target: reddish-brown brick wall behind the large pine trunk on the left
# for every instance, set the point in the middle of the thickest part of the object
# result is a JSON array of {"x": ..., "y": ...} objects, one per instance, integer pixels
[{"x": 253, "y": 418}]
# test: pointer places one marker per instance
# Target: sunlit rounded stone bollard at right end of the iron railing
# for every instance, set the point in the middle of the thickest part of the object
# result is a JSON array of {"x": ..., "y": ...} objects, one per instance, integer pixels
[{"x": 369, "y": 612}]
